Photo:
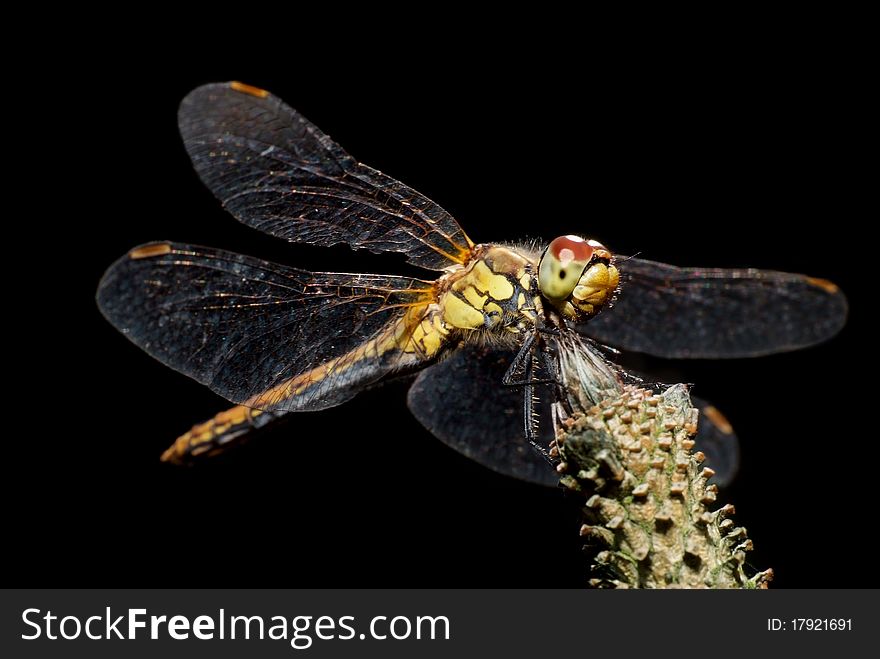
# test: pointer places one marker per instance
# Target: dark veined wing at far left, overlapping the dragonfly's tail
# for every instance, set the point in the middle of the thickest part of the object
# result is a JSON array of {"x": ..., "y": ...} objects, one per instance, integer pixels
[{"x": 243, "y": 326}]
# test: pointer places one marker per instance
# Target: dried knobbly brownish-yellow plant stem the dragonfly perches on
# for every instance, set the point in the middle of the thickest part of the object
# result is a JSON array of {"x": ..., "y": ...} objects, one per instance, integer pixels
[{"x": 647, "y": 518}]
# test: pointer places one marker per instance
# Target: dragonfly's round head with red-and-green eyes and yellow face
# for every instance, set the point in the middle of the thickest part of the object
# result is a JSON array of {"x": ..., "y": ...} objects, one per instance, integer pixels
[{"x": 576, "y": 276}]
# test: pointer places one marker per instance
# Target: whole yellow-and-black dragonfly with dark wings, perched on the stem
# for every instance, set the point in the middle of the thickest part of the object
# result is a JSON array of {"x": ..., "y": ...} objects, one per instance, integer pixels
[{"x": 489, "y": 335}]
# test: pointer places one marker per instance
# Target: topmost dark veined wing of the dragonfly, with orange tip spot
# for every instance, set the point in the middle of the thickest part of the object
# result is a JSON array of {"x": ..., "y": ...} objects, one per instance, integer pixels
[{"x": 275, "y": 171}]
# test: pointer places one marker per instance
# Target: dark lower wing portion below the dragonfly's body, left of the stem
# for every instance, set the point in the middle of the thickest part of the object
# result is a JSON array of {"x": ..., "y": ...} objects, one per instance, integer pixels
[{"x": 462, "y": 402}]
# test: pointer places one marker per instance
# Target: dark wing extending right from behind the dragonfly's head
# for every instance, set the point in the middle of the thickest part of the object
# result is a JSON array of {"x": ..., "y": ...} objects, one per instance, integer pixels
[{"x": 714, "y": 313}]
